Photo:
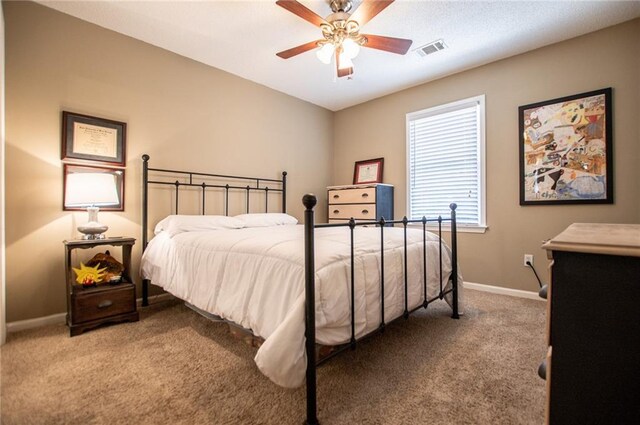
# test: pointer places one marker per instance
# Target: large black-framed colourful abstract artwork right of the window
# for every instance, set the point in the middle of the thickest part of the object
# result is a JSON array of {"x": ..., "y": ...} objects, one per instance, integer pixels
[{"x": 566, "y": 150}]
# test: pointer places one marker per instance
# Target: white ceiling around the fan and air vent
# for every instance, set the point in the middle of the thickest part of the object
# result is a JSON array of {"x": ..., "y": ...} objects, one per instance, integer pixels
[{"x": 243, "y": 36}]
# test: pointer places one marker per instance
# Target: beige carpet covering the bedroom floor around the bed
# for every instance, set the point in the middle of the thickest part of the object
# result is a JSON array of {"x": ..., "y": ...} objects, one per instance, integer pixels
[{"x": 177, "y": 367}]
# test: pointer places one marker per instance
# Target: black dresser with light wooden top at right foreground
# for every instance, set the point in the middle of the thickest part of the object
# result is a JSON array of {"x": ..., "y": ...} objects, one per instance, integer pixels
[{"x": 593, "y": 318}]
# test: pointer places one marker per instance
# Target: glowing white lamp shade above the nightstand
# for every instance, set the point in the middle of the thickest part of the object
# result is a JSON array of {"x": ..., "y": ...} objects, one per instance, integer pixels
[{"x": 91, "y": 189}]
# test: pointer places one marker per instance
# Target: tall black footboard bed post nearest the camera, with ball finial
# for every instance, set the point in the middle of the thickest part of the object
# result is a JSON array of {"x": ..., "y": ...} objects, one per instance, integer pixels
[{"x": 309, "y": 200}]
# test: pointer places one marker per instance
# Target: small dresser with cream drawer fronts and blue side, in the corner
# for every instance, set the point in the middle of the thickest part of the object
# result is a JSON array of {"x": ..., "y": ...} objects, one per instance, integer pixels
[{"x": 362, "y": 202}]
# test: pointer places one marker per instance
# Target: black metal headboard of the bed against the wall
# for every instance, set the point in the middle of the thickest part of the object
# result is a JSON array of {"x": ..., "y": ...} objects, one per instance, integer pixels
[{"x": 196, "y": 179}]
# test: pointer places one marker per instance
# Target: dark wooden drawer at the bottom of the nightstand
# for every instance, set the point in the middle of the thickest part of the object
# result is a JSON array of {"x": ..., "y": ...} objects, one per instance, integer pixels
[{"x": 97, "y": 303}]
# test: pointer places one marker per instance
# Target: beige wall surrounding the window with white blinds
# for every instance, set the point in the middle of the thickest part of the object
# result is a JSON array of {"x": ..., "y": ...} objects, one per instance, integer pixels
[{"x": 606, "y": 58}]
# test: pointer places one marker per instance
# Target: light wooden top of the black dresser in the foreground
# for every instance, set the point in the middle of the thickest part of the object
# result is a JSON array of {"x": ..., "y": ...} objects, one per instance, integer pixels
[{"x": 598, "y": 238}]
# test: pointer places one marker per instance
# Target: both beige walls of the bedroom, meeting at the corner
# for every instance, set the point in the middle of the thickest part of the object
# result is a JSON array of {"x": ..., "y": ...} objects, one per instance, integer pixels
[{"x": 185, "y": 114}]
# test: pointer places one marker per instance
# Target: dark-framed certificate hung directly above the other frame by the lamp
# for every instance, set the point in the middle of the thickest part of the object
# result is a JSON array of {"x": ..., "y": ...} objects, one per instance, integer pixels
[{"x": 88, "y": 138}]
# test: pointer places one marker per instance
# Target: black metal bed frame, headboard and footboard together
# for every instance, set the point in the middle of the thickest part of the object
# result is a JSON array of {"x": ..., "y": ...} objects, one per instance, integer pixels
[{"x": 310, "y": 202}]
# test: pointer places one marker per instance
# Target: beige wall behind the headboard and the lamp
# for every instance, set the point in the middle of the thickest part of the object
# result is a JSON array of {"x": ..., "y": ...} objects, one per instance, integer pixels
[{"x": 182, "y": 113}]
